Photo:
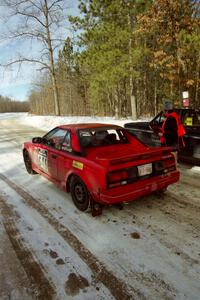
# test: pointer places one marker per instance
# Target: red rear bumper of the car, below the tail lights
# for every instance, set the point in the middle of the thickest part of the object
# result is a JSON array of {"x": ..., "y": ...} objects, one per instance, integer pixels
[{"x": 135, "y": 190}]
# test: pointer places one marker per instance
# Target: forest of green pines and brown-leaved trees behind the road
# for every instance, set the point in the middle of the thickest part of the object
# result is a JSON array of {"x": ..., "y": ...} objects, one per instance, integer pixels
[{"x": 125, "y": 58}]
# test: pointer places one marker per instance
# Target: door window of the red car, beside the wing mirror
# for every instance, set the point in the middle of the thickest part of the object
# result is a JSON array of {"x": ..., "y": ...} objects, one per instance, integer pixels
[{"x": 55, "y": 138}]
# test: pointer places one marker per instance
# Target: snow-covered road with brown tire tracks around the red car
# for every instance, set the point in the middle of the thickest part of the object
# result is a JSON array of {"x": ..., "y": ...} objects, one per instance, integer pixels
[{"x": 50, "y": 250}]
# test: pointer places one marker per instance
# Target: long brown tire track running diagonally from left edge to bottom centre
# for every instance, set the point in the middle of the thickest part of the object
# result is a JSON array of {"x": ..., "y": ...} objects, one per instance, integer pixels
[{"x": 116, "y": 287}]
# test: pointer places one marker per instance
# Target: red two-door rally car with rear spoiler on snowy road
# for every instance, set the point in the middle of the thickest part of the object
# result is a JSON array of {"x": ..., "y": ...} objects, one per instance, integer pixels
[{"x": 99, "y": 164}]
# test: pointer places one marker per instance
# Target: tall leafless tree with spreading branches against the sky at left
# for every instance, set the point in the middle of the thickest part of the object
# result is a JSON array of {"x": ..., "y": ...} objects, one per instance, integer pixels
[{"x": 37, "y": 20}]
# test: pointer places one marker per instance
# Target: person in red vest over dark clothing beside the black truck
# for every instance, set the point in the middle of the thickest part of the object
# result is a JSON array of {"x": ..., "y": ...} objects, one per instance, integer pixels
[{"x": 172, "y": 131}]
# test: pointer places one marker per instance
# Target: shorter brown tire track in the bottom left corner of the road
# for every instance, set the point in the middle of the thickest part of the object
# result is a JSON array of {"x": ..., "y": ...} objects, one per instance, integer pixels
[{"x": 41, "y": 287}]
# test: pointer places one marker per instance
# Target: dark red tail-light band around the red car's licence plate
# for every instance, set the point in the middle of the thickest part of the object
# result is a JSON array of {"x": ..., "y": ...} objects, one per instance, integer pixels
[{"x": 129, "y": 175}]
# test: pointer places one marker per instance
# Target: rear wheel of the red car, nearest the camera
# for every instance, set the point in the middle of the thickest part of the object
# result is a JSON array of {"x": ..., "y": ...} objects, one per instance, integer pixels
[{"x": 80, "y": 194}]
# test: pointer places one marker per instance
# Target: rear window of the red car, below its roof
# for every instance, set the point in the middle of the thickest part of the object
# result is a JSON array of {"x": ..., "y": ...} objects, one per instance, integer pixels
[{"x": 102, "y": 137}]
